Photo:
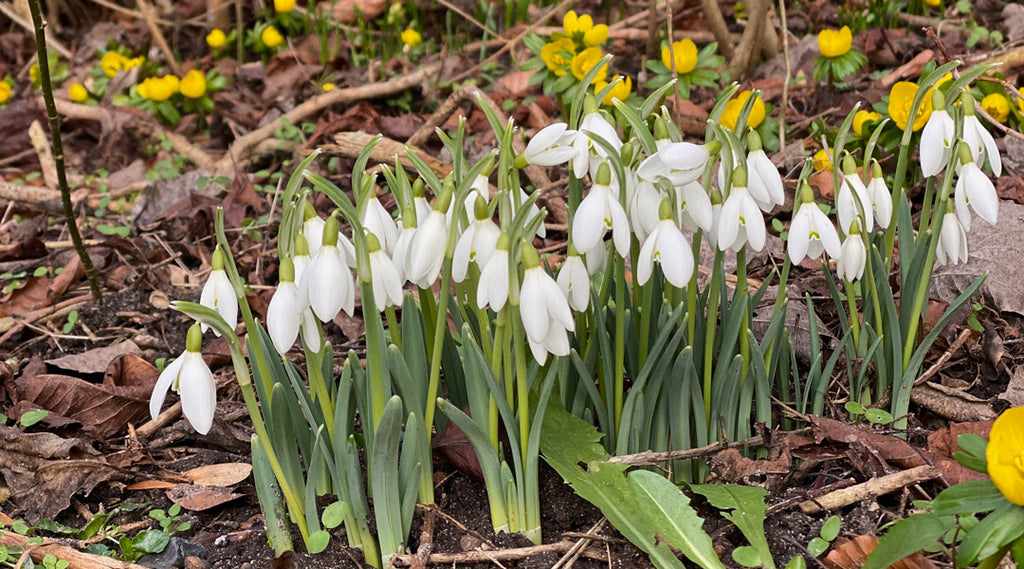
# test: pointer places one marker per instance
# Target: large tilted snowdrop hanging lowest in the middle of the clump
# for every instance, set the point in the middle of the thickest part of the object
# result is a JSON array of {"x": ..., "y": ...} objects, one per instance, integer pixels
[{"x": 545, "y": 313}]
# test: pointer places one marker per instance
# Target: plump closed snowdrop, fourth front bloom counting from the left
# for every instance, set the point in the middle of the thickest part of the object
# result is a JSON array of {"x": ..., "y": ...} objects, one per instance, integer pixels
[{"x": 328, "y": 282}]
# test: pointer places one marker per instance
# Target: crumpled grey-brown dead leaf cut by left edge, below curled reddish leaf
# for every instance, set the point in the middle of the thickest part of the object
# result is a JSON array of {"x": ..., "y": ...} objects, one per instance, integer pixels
[{"x": 45, "y": 471}]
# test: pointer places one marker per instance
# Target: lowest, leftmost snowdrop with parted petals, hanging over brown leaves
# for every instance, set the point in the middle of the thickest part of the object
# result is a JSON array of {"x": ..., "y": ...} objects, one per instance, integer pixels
[{"x": 190, "y": 377}]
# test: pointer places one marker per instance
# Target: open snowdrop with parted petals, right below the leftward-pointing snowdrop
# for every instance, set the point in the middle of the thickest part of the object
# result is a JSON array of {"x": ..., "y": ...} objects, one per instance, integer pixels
[{"x": 600, "y": 212}]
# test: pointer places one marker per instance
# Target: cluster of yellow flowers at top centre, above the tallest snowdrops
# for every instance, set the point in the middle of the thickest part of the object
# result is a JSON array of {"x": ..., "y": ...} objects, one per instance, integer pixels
[{"x": 577, "y": 52}]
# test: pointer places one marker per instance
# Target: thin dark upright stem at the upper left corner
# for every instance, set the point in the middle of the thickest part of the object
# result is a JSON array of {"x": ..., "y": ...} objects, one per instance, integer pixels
[{"x": 52, "y": 111}]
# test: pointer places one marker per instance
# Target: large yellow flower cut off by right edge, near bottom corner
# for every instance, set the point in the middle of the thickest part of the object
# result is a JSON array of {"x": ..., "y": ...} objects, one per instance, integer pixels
[{"x": 1006, "y": 455}]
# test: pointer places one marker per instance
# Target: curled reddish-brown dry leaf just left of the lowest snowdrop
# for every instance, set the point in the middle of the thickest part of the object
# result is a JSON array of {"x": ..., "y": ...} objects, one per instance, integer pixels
[{"x": 104, "y": 410}]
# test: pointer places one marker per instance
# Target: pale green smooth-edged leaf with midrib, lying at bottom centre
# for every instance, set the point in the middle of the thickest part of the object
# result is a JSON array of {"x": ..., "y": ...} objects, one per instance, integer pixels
[{"x": 668, "y": 510}]
